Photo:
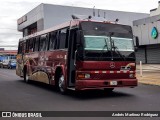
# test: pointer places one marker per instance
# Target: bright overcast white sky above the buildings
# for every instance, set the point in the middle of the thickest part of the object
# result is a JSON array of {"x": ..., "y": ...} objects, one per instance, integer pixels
[{"x": 11, "y": 10}]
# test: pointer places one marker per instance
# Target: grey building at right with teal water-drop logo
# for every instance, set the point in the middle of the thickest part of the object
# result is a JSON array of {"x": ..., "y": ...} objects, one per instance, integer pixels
[{"x": 147, "y": 30}]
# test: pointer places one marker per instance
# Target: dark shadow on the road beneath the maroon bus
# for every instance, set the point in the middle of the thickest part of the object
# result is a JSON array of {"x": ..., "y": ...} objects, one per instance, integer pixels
[{"x": 83, "y": 95}]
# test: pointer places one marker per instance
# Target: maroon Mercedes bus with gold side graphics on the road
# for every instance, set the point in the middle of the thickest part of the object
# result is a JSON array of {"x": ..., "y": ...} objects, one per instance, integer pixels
[{"x": 79, "y": 55}]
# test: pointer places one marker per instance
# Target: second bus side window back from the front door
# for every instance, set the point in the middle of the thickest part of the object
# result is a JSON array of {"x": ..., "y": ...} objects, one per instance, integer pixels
[{"x": 52, "y": 40}]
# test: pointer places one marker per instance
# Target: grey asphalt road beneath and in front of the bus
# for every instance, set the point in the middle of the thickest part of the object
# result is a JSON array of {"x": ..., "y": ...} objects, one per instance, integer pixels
[{"x": 16, "y": 95}]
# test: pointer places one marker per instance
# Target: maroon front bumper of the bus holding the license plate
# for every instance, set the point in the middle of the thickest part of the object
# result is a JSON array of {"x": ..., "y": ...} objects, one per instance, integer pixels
[{"x": 101, "y": 84}]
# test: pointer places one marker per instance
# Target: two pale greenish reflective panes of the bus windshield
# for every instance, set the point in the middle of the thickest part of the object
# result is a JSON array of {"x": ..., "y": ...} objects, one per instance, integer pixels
[{"x": 103, "y": 43}]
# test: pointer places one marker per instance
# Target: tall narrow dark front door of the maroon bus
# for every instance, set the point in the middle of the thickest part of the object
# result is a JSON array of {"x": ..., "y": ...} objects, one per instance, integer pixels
[{"x": 71, "y": 58}]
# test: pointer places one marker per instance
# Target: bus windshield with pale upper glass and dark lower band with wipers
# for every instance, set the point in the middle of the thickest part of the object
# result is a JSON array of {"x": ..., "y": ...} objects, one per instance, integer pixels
[{"x": 101, "y": 46}]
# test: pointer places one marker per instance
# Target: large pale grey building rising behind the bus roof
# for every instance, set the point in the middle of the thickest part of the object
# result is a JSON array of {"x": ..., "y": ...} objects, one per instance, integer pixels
[{"x": 46, "y": 16}]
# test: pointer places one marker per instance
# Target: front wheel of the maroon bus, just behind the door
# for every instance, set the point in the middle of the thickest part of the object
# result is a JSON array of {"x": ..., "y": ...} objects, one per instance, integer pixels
[{"x": 61, "y": 84}]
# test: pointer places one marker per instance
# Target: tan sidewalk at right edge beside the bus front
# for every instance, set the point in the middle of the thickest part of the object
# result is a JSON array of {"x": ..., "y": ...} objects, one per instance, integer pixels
[{"x": 150, "y": 74}]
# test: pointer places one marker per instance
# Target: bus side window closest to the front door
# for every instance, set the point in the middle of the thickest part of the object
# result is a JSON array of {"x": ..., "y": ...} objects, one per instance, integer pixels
[{"x": 62, "y": 38}]
